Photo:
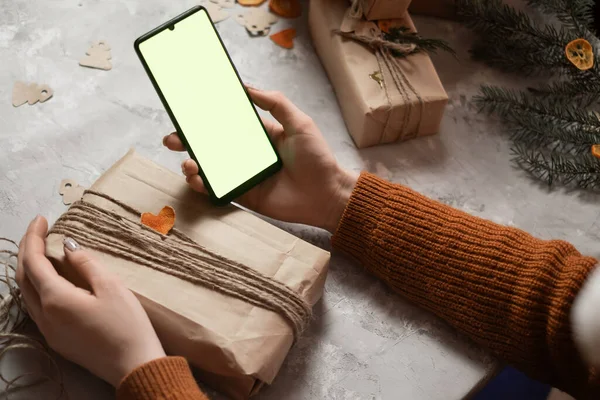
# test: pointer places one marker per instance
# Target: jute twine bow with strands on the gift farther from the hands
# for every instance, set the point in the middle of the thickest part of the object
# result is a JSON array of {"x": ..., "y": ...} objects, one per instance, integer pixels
[{"x": 355, "y": 28}]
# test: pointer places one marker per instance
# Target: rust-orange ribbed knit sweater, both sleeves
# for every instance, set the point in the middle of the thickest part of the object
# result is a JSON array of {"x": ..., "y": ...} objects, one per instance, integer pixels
[{"x": 506, "y": 290}]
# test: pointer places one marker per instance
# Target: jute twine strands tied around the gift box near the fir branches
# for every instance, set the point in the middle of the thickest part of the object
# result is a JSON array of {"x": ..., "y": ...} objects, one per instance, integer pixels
[{"x": 383, "y": 51}]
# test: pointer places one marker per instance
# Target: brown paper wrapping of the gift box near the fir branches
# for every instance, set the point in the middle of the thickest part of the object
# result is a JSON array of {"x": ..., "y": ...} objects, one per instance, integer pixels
[{"x": 370, "y": 118}]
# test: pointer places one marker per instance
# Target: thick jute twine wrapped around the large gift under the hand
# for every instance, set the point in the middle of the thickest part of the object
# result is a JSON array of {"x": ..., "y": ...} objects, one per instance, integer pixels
[{"x": 178, "y": 255}]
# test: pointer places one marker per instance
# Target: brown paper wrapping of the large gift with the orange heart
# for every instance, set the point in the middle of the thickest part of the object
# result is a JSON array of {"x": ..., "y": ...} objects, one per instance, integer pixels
[{"x": 236, "y": 347}]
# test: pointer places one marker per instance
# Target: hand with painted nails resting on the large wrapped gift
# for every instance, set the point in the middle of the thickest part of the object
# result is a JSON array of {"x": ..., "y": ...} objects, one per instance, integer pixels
[{"x": 105, "y": 329}]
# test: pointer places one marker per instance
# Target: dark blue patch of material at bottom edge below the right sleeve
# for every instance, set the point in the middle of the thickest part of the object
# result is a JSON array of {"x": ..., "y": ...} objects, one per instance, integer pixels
[{"x": 512, "y": 384}]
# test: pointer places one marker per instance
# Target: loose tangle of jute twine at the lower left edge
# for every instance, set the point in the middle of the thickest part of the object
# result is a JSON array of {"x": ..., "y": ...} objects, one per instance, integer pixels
[{"x": 12, "y": 319}]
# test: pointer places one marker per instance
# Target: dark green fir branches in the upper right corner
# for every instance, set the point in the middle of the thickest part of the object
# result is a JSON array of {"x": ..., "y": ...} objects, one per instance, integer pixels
[{"x": 551, "y": 130}]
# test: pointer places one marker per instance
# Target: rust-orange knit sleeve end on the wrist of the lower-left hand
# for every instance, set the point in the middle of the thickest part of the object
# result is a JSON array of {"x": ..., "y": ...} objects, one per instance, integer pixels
[{"x": 167, "y": 378}]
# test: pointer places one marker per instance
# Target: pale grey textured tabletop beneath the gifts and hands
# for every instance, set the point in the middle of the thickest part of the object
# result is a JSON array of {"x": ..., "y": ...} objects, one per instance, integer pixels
[{"x": 366, "y": 342}]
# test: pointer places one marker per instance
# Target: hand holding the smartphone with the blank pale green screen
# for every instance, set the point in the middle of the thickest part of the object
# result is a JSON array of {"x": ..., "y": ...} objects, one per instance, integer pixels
[{"x": 311, "y": 188}]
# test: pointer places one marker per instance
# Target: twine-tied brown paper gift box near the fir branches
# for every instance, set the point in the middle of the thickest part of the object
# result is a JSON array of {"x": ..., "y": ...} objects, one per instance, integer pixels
[{"x": 383, "y": 98}]
